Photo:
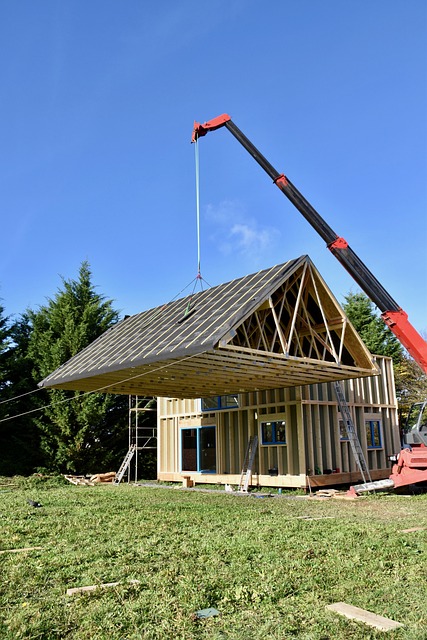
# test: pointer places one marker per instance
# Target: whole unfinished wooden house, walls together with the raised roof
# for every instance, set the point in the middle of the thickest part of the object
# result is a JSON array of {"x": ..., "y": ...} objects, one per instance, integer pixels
[{"x": 276, "y": 340}]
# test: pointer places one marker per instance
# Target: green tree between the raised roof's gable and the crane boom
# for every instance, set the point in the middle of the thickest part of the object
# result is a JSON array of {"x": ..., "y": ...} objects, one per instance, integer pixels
[{"x": 378, "y": 338}]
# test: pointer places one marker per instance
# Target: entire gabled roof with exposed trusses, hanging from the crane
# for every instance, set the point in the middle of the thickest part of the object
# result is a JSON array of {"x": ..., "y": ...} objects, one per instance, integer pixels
[{"x": 280, "y": 327}]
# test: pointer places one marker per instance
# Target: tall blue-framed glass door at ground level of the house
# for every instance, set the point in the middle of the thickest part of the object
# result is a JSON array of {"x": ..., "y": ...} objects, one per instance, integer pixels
[{"x": 198, "y": 449}]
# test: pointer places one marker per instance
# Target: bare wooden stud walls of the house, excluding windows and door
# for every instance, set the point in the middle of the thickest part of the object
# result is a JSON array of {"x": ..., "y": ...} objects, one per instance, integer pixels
[{"x": 312, "y": 430}]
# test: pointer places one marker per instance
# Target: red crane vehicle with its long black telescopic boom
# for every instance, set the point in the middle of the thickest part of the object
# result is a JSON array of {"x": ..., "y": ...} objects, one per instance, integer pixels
[{"x": 410, "y": 464}]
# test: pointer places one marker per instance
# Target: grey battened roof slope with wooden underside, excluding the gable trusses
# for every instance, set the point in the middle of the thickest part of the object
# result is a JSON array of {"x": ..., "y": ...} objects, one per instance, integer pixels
[{"x": 163, "y": 351}]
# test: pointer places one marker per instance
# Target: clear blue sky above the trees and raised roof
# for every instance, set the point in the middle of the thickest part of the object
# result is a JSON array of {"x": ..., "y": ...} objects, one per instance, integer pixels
[{"x": 98, "y": 103}]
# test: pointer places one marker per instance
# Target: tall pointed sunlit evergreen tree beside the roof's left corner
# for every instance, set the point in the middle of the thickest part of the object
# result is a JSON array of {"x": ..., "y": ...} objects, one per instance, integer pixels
[{"x": 79, "y": 432}]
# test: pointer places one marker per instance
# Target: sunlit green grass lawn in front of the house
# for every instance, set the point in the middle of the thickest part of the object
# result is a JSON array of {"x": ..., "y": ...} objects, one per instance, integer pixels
[{"x": 269, "y": 565}]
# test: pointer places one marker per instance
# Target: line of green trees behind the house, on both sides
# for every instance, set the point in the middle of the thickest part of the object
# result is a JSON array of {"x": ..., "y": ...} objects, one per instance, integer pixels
[{"x": 75, "y": 432}]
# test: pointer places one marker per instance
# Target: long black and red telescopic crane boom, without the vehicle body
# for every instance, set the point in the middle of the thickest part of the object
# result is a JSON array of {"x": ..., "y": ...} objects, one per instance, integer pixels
[{"x": 392, "y": 314}]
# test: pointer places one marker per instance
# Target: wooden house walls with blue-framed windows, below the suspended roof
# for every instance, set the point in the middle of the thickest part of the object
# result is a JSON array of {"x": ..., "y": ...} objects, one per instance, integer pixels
[{"x": 312, "y": 450}]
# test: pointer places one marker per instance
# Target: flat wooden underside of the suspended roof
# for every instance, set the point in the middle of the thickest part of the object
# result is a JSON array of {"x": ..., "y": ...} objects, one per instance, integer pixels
[{"x": 214, "y": 373}]
